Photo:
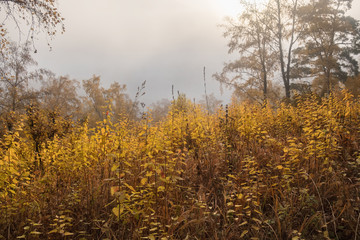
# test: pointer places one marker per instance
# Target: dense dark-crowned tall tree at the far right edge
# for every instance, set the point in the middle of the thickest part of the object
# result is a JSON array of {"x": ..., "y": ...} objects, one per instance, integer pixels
[{"x": 331, "y": 41}]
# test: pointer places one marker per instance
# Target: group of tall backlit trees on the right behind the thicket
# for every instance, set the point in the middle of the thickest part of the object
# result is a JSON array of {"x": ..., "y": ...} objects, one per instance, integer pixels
[{"x": 292, "y": 46}]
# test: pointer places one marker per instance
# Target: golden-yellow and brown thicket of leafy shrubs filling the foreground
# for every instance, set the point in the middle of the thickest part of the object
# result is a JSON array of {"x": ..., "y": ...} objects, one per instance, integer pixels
[{"x": 245, "y": 172}]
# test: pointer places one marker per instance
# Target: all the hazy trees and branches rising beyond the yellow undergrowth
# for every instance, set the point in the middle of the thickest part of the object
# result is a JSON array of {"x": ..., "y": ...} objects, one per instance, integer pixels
[{"x": 285, "y": 48}]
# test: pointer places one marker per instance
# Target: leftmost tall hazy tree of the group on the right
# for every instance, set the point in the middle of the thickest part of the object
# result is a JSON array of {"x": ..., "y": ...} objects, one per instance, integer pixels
[{"x": 250, "y": 36}]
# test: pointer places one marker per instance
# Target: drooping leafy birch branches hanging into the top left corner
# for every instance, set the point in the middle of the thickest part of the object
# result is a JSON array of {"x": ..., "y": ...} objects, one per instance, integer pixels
[{"x": 37, "y": 14}]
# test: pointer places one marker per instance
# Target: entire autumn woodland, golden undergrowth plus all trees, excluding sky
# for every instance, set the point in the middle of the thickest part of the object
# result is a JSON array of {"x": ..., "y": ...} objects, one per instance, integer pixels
[{"x": 281, "y": 161}]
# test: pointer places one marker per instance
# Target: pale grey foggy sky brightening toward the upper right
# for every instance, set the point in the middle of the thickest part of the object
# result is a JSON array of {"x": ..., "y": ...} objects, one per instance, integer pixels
[{"x": 165, "y": 42}]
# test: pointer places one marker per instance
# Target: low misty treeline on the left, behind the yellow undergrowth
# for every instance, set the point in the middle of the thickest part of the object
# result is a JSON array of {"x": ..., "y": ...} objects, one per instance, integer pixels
[{"x": 24, "y": 87}]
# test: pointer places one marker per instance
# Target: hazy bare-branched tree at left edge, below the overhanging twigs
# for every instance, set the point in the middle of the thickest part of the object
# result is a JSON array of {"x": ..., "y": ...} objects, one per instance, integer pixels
[{"x": 15, "y": 77}]
